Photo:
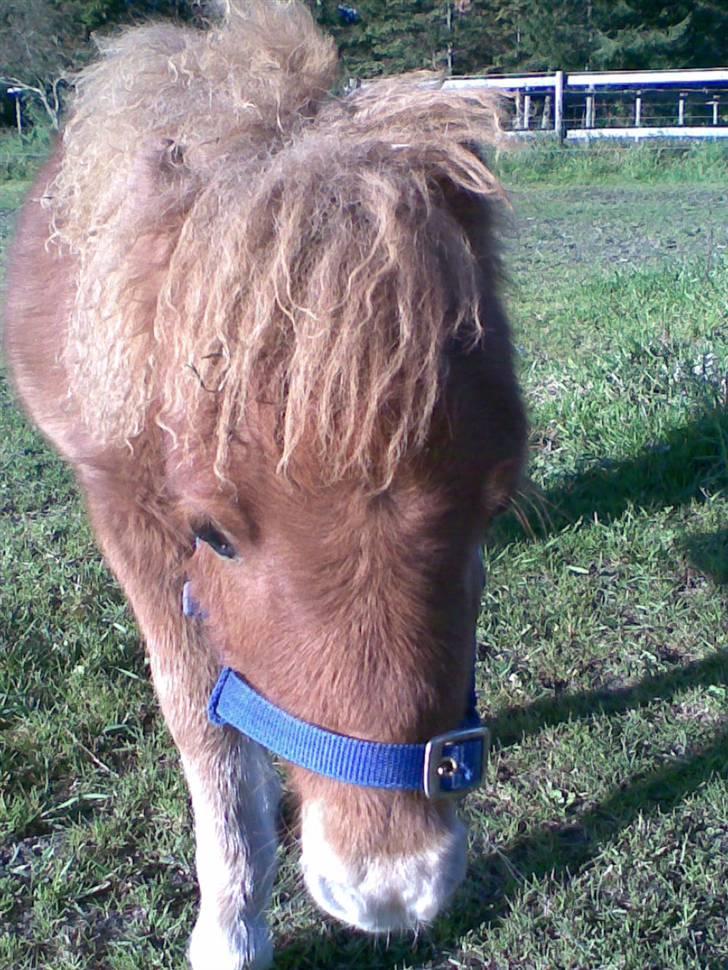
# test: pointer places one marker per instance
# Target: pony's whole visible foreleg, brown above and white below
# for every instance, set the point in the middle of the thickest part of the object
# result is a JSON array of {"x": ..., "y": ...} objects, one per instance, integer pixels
[{"x": 233, "y": 787}]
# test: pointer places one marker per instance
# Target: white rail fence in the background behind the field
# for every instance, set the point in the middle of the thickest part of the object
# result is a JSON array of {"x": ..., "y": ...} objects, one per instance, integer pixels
[{"x": 614, "y": 104}]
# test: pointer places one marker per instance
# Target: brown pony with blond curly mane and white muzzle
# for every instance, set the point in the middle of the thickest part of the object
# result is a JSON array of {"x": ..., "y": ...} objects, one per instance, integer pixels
[{"x": 248, "y": 311}]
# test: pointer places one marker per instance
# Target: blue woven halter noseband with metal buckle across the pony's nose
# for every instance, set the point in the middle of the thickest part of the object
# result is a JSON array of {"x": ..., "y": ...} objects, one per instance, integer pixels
[{"x": 448, "y": 765}]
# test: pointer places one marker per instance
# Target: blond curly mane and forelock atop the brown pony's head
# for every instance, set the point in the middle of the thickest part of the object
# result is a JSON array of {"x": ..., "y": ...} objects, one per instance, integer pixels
[{"x": 242, "y": 234}]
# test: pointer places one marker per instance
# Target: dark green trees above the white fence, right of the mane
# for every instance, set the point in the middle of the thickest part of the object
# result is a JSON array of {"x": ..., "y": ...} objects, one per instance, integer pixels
[{"x": 502, "y": 36}]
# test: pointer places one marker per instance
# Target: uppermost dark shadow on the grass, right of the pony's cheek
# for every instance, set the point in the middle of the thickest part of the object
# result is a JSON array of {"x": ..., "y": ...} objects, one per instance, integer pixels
[{"x": 689, "y": 462}]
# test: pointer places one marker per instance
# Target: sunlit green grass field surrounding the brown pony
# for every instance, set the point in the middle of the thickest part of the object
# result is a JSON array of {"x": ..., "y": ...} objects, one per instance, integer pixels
[{"x": 601, "y": 841}]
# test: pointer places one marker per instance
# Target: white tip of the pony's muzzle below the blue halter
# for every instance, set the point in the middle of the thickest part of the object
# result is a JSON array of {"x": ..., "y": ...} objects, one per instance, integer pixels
[{"x": 385, "y": 894}]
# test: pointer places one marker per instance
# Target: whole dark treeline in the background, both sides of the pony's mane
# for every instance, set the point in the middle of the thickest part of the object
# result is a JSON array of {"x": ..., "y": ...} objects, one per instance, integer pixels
[{"x": 43, "y": 40}]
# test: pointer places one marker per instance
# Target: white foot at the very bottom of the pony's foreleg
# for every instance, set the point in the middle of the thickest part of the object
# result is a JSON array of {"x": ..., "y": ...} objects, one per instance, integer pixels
[{"x": 246, "y": 946}]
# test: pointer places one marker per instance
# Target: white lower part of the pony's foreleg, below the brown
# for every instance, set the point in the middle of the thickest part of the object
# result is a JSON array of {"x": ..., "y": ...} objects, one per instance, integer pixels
[{"x": 234, "y": 797}]
